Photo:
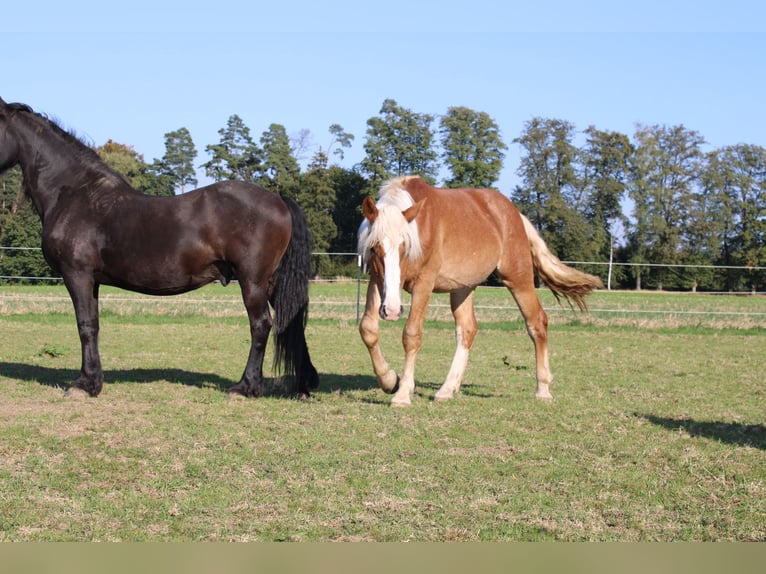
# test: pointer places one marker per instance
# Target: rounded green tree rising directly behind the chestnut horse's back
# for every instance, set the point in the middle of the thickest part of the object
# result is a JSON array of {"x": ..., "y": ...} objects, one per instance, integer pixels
[{"x": 472, "y": 148}]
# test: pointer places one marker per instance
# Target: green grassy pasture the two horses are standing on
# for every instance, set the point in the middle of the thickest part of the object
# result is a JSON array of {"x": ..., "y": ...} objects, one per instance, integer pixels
[{"x": 656, "y": 431}]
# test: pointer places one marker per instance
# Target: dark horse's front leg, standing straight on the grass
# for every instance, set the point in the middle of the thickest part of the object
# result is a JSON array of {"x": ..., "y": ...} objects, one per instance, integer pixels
[{"x": 84, "y": 293}]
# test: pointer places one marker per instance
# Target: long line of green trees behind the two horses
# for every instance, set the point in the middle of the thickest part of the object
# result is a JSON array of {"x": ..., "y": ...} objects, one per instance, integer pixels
[{"x": 597, "y": 195}]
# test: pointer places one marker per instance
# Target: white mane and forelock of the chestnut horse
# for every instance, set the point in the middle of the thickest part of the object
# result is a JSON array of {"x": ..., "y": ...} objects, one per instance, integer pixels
[{"x": 390, "y": 223}]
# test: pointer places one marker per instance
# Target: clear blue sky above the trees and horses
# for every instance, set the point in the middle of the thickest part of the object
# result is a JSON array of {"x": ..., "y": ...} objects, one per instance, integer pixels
[{"x": 132, "y": 72}]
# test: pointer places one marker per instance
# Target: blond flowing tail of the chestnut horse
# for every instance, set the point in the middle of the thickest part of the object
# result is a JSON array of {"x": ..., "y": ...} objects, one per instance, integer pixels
[{"x": 561, "y": 279}]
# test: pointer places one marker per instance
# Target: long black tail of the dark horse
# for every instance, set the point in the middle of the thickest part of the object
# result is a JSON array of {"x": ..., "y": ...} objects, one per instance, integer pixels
[{"x": 290, "y": 300}]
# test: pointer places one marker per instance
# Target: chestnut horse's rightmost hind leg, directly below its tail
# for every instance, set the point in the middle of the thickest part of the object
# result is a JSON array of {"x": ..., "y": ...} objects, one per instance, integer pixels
[{"x": 523, "y": 292}]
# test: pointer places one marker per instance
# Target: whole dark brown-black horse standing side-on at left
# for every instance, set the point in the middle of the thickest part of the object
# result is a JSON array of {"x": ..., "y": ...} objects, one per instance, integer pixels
[{"x": 97, "y": 230}]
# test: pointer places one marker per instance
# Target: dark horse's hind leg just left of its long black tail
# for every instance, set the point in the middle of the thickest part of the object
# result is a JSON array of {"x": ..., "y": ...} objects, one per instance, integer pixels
[{"x": 255, "y": 297}]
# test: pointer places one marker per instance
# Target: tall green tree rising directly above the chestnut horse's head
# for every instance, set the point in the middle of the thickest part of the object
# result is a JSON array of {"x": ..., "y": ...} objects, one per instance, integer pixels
[{"x": 399, "y": 142}]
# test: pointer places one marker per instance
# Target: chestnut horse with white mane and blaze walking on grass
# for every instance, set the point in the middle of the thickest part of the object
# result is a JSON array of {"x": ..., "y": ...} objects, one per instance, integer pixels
[{"x": 425, "y": 240}]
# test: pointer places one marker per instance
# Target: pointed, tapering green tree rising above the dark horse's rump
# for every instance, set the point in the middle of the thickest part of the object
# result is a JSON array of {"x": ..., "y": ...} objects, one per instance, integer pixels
[{"x": 236, "y": 156}]
